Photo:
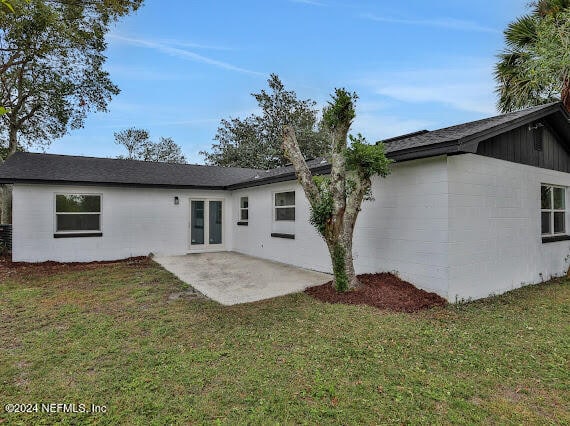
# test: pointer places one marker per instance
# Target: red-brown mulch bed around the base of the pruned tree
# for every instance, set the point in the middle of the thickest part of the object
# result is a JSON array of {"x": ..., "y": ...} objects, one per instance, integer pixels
[{"x": 384, "y": 291}]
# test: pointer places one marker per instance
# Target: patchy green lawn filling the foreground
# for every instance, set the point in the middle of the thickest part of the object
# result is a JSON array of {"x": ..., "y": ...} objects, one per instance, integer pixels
[{"x": 110, "y": 336}]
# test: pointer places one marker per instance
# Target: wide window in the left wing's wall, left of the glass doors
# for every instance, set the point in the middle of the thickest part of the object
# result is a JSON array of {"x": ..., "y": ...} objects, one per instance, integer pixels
[{"x": 77, "y": 213}]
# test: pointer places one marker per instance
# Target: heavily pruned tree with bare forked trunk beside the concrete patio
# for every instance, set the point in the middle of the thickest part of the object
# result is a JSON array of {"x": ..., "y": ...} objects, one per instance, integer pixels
[{"x": 336, "y": 200}]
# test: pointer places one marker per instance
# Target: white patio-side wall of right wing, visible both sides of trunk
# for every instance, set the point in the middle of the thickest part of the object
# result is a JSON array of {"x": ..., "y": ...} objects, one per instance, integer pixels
[{"x": 404, "y": 229}]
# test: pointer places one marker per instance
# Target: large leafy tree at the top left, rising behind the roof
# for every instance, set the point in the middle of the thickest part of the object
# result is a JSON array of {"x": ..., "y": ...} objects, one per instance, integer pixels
[{"x": 51, "y": 69}]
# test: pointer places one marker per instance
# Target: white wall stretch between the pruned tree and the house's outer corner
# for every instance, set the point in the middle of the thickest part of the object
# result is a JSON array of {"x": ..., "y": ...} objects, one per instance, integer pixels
[{"x": 405, "y": 228}]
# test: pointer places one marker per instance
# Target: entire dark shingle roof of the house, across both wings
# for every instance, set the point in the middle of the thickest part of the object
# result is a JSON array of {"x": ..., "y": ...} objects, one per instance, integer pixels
[{"x": 50, "y": 168}]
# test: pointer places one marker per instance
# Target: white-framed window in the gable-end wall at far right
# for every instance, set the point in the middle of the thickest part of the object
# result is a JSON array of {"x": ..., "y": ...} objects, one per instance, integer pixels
[{"x": 552, "y": 210}]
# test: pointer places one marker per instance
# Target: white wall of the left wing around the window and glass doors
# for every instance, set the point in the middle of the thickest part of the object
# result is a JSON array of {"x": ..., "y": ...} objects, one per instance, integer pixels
[{"x": 135, "y": 222}]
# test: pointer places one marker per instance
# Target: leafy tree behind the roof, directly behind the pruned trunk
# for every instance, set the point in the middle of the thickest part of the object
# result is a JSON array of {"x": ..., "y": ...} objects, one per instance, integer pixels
[{"x": 255, "y": 141}]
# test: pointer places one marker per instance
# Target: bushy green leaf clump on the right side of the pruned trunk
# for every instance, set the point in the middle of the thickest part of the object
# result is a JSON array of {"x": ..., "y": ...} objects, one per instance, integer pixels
[{"x": 367, "y": 160}]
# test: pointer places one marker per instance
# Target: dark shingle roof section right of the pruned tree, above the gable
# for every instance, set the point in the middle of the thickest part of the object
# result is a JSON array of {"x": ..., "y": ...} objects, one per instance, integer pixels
[{"x": 455, "y": 136}]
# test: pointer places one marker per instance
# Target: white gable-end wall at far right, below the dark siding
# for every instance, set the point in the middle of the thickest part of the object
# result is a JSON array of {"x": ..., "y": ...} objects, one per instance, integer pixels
[{"x": 495, "y": 243}]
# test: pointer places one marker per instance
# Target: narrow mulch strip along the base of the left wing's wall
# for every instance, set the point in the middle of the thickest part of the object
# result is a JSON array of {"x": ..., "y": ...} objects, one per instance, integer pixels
[{"x": 7, "y": 267}]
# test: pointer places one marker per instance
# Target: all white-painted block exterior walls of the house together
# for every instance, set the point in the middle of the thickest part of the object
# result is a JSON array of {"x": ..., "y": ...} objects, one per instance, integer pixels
[{"x": 464, "y": 226}]
